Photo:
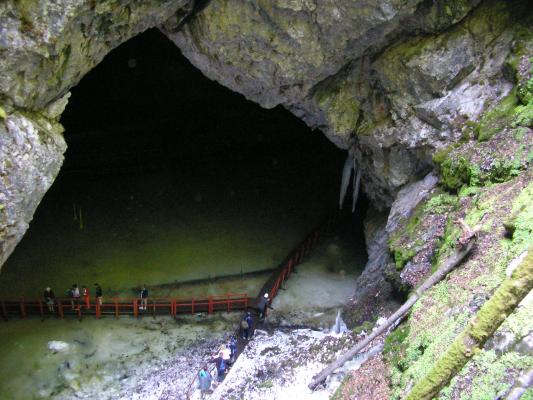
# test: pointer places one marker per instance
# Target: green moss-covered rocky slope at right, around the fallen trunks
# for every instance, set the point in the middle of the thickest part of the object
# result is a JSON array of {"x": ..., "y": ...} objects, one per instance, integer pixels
[{"x": 429, "y": 334}]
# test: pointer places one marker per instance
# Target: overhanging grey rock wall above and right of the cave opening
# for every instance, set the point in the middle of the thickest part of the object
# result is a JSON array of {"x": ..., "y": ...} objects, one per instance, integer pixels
[{"x": 398, "y": 79}]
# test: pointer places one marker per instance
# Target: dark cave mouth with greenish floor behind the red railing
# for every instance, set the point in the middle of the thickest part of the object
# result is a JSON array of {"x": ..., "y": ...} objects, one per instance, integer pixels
[{"x": 170, "y": 177}]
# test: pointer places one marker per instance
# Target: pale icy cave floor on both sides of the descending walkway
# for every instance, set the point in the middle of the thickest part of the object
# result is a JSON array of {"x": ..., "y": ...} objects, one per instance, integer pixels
[{"x": 157, "y": 359}]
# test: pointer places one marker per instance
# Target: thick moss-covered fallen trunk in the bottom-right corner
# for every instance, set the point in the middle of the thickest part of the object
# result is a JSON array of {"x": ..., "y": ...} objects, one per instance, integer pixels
[{"x": 510, "y": 293}]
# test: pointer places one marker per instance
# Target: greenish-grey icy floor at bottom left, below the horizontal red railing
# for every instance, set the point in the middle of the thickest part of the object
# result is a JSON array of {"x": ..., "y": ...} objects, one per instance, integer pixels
[{"x": 107, "y": 359}]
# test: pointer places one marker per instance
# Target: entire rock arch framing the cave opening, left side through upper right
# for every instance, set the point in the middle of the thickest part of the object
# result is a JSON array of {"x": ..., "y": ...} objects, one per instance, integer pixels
[{"x": 395, "y": 79}]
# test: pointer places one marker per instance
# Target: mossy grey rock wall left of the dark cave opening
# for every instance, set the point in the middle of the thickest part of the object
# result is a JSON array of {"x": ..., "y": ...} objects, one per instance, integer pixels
[{"x": 45, "y": 48}]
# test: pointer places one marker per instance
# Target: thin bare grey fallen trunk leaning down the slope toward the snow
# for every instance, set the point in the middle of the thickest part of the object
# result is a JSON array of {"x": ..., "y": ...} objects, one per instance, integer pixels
[{"x": 448, "y": 265}]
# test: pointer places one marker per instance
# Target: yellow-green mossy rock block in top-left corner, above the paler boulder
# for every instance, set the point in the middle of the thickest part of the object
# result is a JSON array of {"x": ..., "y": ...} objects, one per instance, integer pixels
[{"x": 47, "y": 46}]
